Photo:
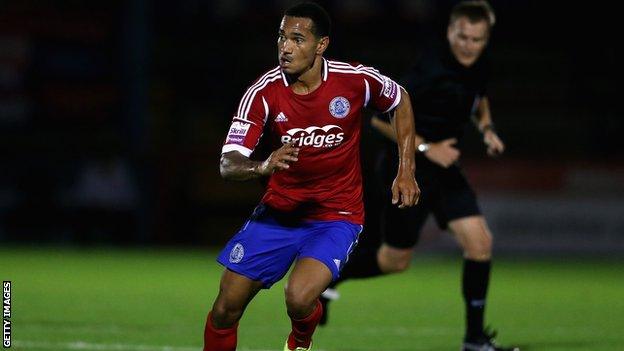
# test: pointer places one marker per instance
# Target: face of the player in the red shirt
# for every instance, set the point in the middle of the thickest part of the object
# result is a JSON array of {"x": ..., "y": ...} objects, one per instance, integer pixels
[{"x": 297, "y": 46}]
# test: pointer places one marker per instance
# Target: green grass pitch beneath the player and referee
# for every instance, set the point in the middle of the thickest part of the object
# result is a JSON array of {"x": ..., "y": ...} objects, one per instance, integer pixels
[{"x": 140, "y": 300}]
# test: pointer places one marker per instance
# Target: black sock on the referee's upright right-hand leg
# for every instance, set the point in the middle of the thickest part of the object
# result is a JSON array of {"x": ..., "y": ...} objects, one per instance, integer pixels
[{"x": 475, "y": 279}]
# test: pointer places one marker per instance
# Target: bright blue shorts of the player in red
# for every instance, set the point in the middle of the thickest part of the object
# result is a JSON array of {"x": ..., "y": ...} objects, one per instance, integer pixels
[{"x": 269, "y": 242}]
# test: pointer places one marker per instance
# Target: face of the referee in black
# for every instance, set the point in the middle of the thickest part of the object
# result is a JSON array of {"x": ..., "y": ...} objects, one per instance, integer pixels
[{"x": 467, "y": 40}]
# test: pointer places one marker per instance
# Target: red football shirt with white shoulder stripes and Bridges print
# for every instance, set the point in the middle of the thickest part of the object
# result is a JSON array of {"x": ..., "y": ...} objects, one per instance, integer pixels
[{"x": 326, "y": 181}]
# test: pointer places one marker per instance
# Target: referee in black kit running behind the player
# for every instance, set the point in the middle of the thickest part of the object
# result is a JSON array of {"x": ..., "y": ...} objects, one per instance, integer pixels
[{"x": 447, "y": 86}]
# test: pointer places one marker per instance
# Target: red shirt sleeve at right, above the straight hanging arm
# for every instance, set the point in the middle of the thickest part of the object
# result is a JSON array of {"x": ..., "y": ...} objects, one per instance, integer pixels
[{"x": 382, "y": 93}]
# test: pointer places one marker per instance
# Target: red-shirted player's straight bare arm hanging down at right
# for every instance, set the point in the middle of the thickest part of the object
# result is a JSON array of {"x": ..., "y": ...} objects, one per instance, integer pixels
[{"x": 405, "y": 191}]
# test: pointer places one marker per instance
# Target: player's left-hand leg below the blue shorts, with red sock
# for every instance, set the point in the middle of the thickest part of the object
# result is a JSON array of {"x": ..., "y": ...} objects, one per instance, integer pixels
[{"x": 235, "y": 292}]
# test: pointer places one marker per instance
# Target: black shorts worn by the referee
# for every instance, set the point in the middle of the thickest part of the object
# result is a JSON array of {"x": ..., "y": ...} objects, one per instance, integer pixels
[{"x": 445, "y": 192}]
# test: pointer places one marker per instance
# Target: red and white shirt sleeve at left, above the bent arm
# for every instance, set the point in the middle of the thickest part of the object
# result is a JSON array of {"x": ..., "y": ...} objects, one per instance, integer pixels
[{"x": 248, "y": 123}]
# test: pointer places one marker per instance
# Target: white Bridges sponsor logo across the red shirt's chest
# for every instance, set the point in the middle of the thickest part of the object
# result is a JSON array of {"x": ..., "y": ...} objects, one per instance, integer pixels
[{"x": 327, "y": 136}]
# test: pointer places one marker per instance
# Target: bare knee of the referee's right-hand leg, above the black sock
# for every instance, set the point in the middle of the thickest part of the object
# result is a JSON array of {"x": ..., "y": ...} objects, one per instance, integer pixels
[{"x": 474, "y": 236}]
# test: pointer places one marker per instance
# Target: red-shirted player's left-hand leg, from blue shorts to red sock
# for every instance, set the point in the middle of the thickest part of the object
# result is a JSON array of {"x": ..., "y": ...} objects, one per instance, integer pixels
[{"x": 259, "y": 255}]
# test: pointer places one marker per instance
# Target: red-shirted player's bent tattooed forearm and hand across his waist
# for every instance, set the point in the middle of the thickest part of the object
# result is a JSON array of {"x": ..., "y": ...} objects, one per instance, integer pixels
[{"x": 236, "y": 166}]
